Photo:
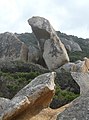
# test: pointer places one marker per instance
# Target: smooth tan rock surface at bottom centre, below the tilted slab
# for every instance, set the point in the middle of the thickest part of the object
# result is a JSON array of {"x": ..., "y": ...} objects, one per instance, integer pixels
[{"x": 46, "y": 114}]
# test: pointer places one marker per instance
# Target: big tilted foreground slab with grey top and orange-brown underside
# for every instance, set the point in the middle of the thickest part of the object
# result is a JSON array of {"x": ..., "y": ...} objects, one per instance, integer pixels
[{"x": 33, "y": 97}]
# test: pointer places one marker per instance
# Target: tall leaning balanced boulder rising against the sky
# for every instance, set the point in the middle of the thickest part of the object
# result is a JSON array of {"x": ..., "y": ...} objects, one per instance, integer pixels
[{"x": 53, "y": 50}]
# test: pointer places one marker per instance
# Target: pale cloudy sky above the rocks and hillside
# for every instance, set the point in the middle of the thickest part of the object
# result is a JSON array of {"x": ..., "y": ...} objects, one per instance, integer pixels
[{"x": 68, "y": 16}]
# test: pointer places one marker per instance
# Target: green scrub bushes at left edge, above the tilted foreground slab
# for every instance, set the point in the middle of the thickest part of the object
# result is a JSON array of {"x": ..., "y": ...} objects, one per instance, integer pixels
[{"x": 13, "y": 82}]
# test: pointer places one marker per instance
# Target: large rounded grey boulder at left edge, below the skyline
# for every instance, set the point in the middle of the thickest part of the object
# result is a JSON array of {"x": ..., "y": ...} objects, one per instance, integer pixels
[{"x": 11, "y": 48}]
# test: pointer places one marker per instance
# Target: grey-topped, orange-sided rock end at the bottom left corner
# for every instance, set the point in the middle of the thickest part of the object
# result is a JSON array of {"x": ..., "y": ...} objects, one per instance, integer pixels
[{"x": 14, "y": 107}]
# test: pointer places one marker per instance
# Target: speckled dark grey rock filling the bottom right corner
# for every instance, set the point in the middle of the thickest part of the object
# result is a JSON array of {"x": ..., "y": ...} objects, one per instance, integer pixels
[{"x": 79, "y": 109}]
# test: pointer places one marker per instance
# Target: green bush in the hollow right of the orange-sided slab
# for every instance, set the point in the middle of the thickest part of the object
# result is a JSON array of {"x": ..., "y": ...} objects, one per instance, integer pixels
[{"x": 62, "y": 97}]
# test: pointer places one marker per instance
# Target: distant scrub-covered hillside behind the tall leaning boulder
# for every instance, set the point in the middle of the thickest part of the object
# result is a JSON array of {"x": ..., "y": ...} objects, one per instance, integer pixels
[{"x": 29, "y": 38}]
